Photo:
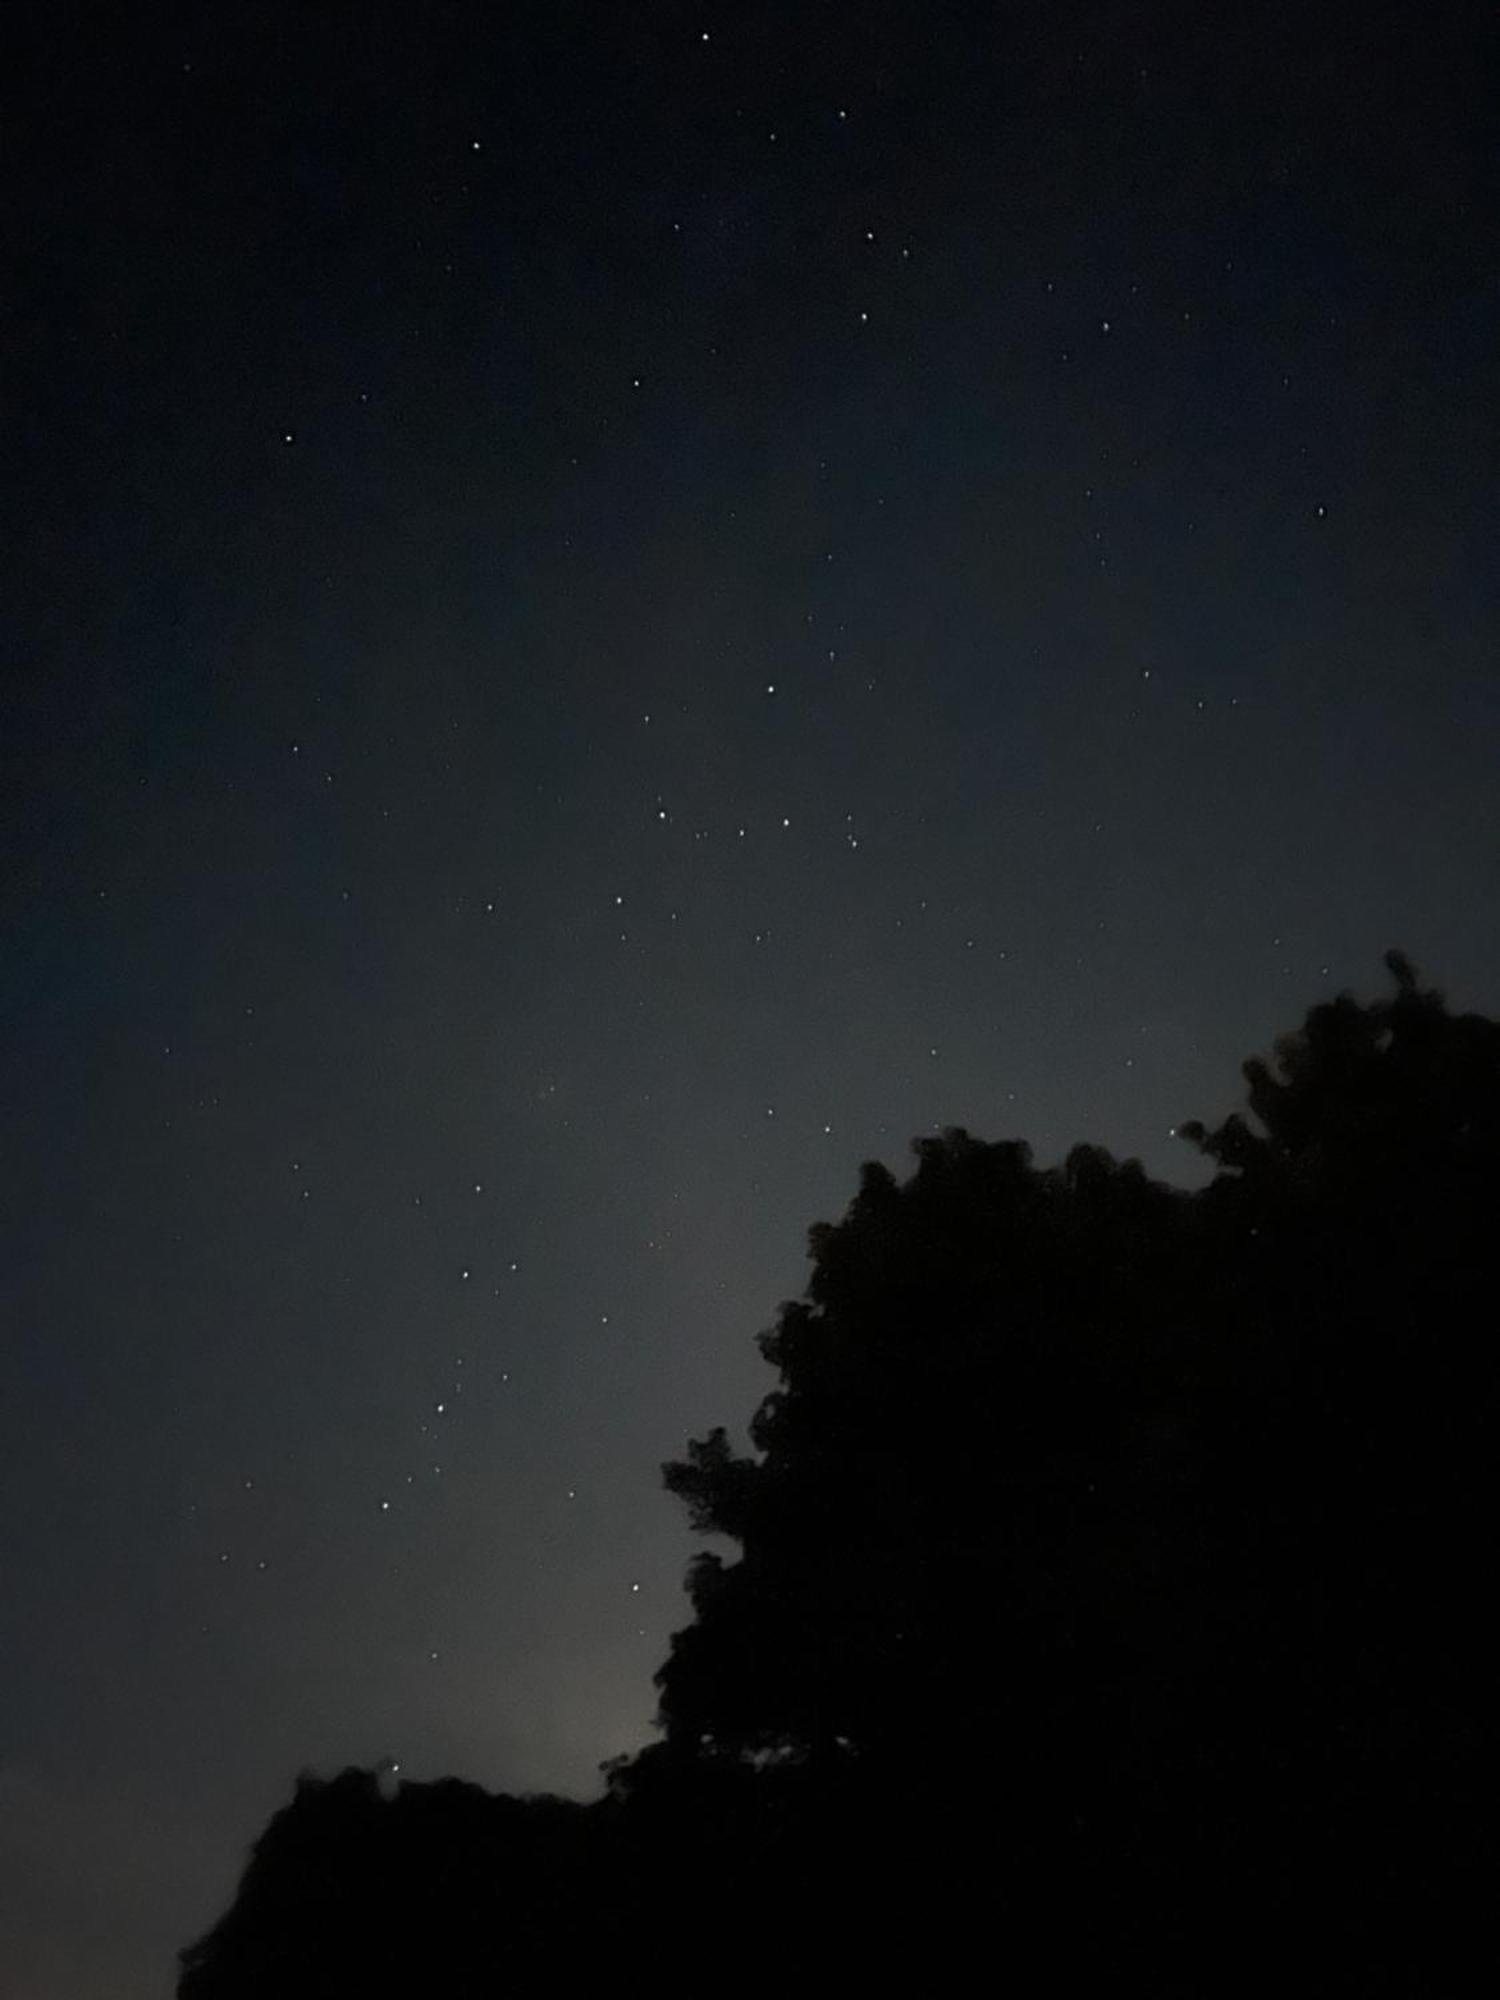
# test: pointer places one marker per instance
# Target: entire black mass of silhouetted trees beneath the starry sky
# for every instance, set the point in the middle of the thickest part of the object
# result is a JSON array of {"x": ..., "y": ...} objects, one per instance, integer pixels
[{"x": 1109, "y": 1587}]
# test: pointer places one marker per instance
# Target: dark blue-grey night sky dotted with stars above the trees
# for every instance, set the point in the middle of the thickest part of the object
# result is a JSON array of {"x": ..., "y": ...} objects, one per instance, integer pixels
[{"x": 609, "y": 613}]
